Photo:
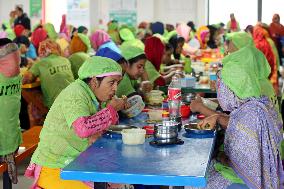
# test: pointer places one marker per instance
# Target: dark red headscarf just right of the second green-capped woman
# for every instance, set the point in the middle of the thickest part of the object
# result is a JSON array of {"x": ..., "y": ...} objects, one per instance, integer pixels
[{"x": 154, "y": 51}]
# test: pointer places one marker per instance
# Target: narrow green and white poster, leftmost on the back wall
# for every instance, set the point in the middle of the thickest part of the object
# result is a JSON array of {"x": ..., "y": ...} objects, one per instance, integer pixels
[{"x": 35, "y": 11}]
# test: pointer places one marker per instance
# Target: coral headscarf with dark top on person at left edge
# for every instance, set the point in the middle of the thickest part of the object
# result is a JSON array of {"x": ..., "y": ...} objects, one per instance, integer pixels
[{"x": 9, "y": 58}]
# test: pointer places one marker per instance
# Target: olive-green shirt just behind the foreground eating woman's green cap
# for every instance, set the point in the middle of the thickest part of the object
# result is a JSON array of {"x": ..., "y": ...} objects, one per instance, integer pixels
[{"x": 76, "y": 60}]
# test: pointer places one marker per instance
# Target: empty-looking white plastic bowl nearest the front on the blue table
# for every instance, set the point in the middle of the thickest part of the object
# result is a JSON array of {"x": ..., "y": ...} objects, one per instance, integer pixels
[{"x": 133, "y": 136}]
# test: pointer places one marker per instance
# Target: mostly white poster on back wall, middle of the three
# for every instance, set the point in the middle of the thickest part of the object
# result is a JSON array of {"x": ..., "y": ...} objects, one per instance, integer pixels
[{"x": 78, "y": 13}]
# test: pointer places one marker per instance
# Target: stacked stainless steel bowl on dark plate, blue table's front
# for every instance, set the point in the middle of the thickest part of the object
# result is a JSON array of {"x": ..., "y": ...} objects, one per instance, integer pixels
[{"x": 165, "y": 131}]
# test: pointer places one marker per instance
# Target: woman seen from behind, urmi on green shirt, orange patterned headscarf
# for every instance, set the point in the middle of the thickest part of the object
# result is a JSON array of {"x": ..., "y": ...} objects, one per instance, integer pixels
[{"x": 53, "y": 70}]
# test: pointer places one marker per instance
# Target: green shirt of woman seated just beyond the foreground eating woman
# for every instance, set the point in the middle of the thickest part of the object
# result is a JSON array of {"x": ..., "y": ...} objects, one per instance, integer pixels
[{"x": 126, "y": 86}]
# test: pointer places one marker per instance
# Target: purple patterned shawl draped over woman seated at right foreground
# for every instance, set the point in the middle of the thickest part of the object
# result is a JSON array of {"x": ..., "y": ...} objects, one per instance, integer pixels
[{"x": 252, "y": 139}]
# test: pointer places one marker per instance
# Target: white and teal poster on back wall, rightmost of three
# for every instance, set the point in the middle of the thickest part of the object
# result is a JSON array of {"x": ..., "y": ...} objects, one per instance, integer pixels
[{"x": 124, "y": 11}]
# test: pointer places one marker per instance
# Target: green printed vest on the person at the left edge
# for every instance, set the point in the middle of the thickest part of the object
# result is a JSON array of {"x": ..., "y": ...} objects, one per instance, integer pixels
[{"x": 10, "y": 103}]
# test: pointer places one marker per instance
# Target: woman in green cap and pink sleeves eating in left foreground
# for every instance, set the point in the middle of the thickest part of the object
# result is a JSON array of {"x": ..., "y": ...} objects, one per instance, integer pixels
[{"x": 79, "y": 115}]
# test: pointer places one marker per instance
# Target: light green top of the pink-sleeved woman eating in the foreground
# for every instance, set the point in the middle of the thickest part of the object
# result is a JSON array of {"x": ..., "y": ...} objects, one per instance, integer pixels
[{"x": 59, "y": 144}]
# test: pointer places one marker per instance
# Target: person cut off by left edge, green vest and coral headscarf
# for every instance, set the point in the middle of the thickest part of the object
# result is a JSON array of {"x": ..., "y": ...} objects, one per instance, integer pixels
[{"x": 10, "y": 102}]
